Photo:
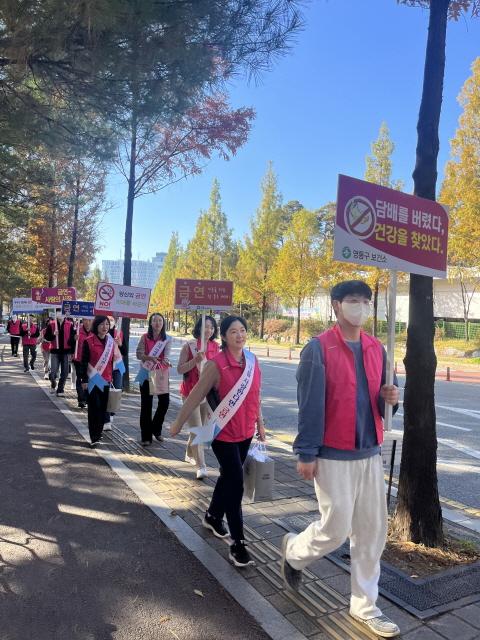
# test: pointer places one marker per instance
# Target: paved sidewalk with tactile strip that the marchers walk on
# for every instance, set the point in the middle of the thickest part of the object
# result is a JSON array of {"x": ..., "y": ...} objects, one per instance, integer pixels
[{"x": 320, "y": 611}]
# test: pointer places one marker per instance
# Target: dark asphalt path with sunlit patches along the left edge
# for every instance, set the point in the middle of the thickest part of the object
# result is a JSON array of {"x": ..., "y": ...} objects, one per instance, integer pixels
[{"x": 81, "y": 558}]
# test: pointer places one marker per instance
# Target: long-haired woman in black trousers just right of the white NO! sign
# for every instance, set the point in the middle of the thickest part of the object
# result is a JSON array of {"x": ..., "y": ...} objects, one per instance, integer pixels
[{"x": 153, "y": 351}]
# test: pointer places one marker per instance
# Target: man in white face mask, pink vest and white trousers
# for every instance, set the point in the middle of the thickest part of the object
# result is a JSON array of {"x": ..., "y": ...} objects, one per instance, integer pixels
[{"x": 341, "y": 399}]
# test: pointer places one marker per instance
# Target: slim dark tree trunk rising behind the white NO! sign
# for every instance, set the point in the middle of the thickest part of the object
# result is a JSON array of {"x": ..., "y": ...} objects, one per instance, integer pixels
[{"x": 127, "y": 263}]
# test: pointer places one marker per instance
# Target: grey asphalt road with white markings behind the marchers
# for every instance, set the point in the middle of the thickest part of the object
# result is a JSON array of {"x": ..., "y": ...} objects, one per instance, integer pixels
[{"x": 458, "y": 422}]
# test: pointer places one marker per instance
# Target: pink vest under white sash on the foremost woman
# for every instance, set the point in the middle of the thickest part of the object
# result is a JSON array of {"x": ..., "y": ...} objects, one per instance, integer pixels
[{"x": 242, "y": 425}]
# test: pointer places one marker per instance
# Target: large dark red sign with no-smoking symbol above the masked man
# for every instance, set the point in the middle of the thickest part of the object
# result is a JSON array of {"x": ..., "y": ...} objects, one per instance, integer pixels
[{"x": 385, "y": 228}]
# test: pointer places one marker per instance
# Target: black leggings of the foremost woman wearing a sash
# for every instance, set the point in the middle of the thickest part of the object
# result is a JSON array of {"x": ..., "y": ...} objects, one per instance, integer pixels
[{"x": 228, "y": 492}]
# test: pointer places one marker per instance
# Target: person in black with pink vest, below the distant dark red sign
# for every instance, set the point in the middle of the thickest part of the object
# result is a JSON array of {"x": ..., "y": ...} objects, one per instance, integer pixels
[{"x": 61, "y": 335}]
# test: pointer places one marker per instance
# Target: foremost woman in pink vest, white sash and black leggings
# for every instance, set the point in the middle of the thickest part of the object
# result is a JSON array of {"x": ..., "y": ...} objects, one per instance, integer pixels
[{"x": 234, "y": 377}]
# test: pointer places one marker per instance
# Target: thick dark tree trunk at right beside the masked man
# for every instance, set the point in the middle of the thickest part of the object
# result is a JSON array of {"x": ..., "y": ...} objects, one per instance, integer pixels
[{"x": 418, "y": 516}]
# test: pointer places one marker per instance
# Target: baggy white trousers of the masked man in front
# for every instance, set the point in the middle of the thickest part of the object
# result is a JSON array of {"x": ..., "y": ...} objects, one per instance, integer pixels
[{"x": 352, "y": 502}]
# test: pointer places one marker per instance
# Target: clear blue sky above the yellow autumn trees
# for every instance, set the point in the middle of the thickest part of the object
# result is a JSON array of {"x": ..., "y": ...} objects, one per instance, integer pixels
[{"x": 355, "y": 64}]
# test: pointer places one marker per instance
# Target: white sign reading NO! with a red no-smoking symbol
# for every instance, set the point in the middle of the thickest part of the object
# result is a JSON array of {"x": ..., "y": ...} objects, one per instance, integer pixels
[{"x": 121, "y": 300}]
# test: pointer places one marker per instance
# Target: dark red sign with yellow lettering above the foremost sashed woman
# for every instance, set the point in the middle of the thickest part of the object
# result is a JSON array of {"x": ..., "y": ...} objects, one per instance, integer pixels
[{"x": 203, "y": 294}]
